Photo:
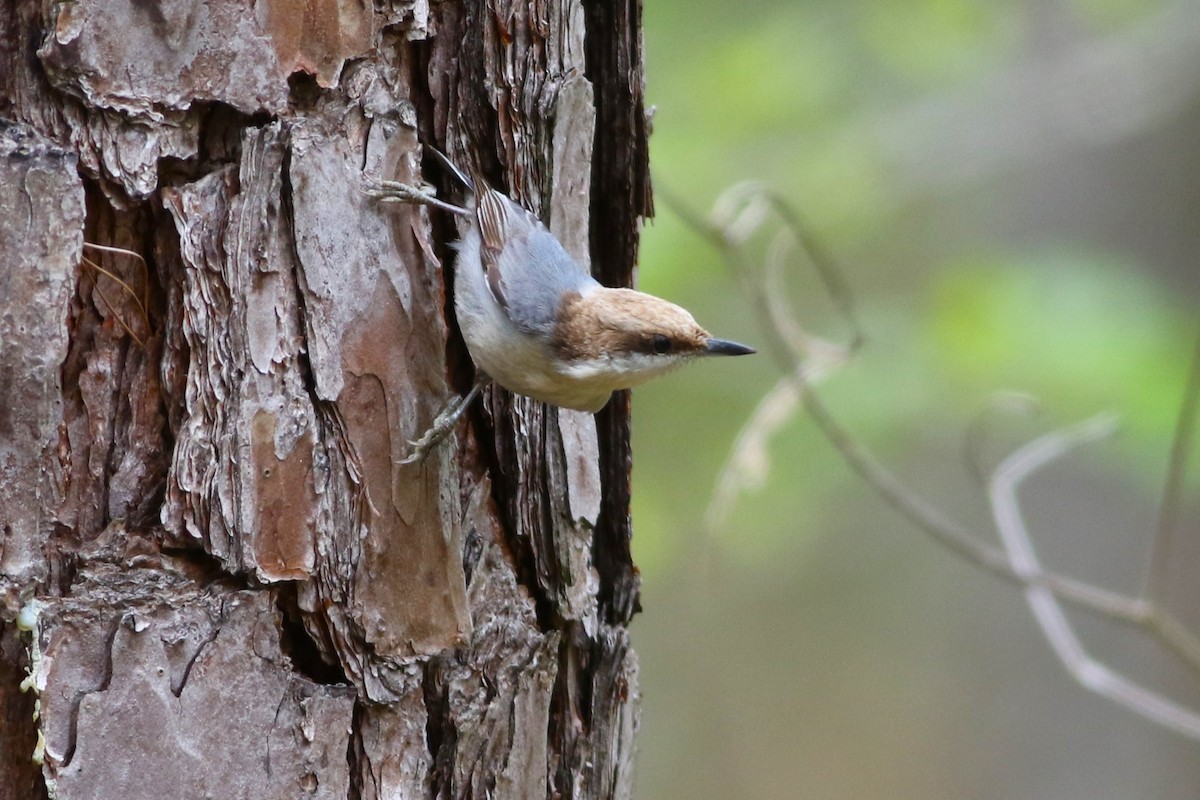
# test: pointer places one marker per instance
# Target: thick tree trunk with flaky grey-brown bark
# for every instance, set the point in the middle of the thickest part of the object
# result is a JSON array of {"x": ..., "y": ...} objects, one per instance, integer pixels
[{"x": 217, "y": 579}]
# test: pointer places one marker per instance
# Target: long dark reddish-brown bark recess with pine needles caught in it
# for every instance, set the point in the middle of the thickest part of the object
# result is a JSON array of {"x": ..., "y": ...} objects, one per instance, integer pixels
[{"x": 115, "y": 412}]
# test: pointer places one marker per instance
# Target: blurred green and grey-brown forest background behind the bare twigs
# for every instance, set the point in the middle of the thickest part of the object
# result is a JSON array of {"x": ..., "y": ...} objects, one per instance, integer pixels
[{"x": 1013, "y": 193}]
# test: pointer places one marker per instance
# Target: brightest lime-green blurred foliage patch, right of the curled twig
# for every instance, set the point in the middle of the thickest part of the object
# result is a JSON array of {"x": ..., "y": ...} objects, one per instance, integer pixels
[{"x": 1085, "y": 334}]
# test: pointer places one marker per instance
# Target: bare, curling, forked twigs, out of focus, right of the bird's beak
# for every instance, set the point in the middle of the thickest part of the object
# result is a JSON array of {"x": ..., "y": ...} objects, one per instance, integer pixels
[{"x": 1016, "y": 563}]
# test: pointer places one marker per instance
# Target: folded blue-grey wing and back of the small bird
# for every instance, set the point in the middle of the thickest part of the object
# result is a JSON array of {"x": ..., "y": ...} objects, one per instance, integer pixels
[{"x": 527, "y": 269}]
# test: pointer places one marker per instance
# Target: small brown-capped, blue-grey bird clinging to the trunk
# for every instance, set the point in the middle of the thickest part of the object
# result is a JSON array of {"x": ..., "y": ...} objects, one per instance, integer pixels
[{"x": 536, "y": 322}]
